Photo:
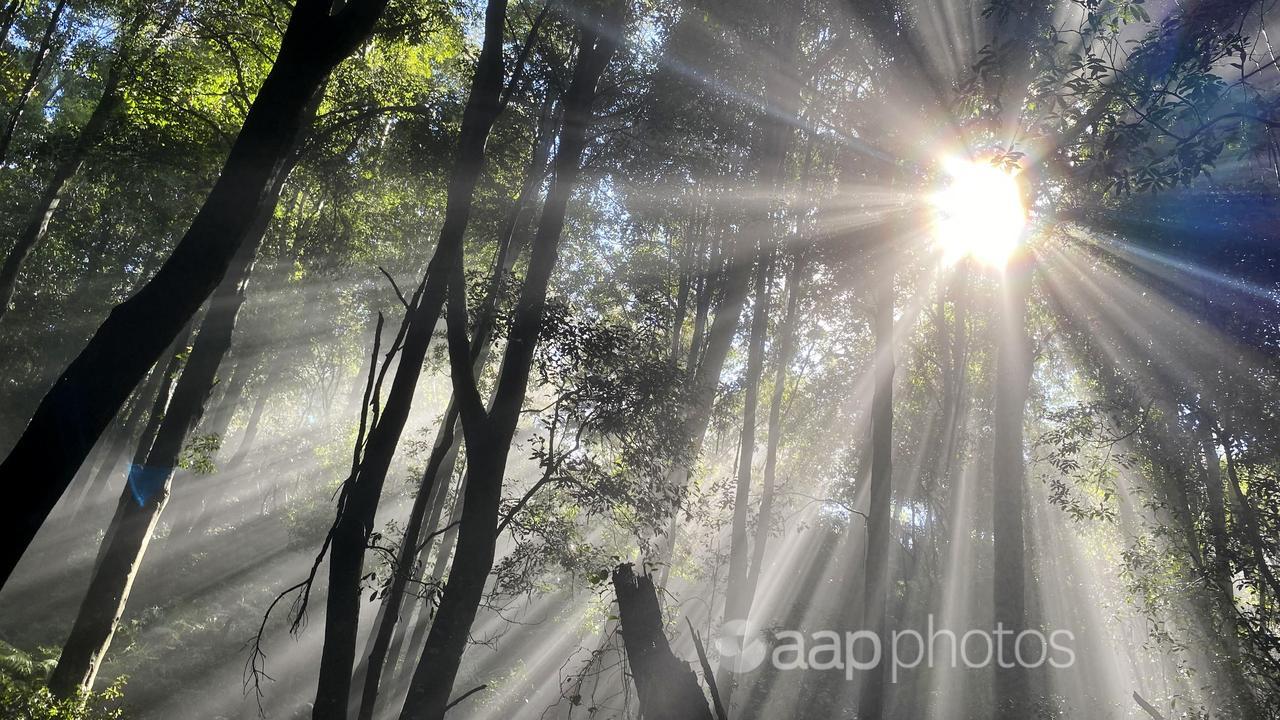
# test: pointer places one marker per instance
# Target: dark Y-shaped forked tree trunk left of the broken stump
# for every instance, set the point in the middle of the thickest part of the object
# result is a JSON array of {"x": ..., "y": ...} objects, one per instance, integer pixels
[{"x": 488, "y": 435}]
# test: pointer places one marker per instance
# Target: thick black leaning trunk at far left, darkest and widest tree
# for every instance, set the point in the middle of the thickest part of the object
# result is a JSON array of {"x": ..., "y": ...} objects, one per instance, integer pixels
[{"x": 92, "y": 390}]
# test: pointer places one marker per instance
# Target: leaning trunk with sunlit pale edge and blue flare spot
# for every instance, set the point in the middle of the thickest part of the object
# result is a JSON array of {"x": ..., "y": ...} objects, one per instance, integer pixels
[{"x": 150, "y": 482}]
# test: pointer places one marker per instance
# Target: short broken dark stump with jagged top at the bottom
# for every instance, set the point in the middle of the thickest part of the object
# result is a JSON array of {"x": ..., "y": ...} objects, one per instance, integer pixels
[{"x": 666, "y": 686}]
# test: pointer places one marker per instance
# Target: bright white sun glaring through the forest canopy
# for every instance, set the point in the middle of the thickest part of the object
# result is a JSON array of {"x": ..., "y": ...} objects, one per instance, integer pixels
[{"x": 980, "y": 213}]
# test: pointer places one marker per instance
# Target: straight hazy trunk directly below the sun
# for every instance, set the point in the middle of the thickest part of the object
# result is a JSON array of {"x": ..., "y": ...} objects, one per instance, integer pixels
[{"x": 1013, "y": 388}]
